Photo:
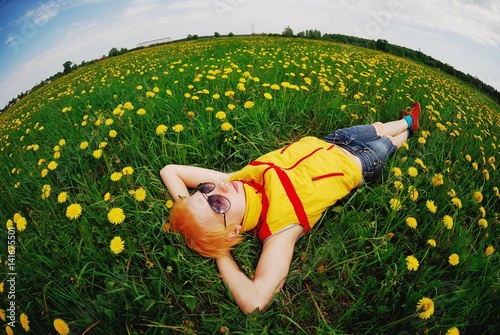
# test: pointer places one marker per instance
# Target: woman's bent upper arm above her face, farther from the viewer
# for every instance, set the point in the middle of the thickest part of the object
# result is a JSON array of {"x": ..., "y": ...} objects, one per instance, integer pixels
[{"x": 179, "y": 178}]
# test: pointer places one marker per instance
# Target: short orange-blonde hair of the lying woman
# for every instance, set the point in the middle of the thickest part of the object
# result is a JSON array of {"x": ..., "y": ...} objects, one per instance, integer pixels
[{"x": 207, "y": 240}]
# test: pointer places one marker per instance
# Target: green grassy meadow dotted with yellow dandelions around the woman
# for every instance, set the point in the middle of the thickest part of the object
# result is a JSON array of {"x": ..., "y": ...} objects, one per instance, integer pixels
[{"x": 86, "y": 246}]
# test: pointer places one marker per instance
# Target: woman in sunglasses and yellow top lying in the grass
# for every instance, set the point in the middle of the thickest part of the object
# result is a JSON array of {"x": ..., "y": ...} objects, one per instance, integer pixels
[{"x": 279, "y": 197}]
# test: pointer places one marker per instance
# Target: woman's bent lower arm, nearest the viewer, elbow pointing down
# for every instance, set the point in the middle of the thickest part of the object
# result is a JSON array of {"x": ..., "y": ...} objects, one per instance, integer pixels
[{"x": 270, "y": 274}]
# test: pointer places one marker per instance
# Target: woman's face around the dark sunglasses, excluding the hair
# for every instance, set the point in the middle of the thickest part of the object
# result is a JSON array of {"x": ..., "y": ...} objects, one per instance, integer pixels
[{"x": 203, "y": 212}]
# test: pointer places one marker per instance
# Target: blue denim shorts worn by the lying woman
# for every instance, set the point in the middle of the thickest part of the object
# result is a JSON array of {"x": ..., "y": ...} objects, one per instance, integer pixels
[{"x": 363, "y": 141}]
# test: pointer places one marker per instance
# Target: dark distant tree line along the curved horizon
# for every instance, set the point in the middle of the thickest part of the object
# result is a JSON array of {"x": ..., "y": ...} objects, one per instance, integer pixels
[{"x": 380, "y": 44}]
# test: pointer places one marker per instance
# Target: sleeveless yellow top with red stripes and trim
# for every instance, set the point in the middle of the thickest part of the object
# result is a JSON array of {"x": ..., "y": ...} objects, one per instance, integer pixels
[{"x": 294, "y": 185}]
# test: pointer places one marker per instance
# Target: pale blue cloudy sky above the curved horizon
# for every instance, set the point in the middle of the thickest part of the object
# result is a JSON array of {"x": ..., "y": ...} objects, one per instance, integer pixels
[{"x": 38, "y": 36}]
